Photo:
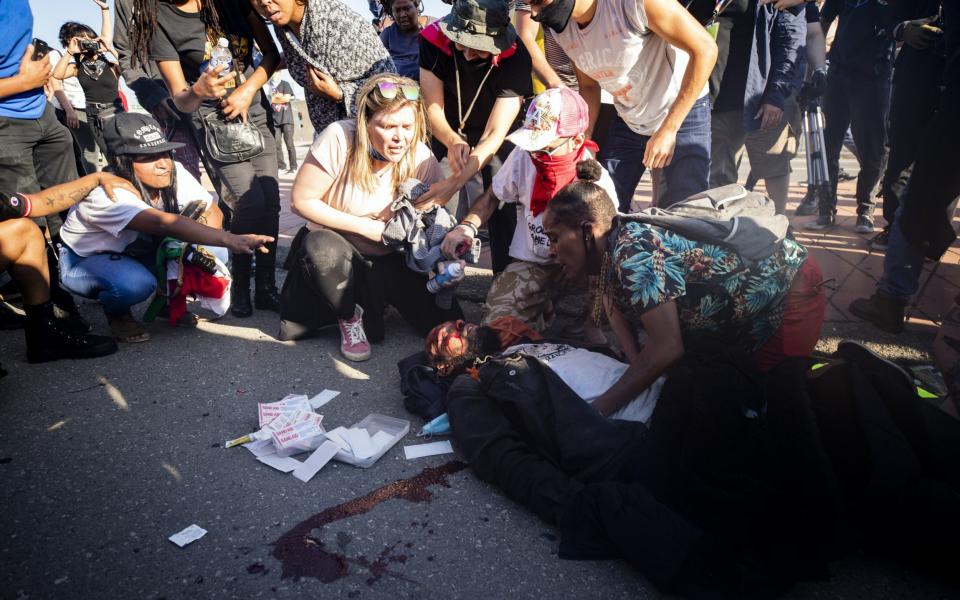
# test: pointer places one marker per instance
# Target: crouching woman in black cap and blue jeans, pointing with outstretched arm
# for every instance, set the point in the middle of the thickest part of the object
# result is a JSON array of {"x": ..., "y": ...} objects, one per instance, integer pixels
[{"x": 108, "y": 252}]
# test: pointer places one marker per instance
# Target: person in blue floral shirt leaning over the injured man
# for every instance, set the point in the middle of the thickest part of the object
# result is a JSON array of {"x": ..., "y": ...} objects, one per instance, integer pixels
[{"x": 681, "y": 291}]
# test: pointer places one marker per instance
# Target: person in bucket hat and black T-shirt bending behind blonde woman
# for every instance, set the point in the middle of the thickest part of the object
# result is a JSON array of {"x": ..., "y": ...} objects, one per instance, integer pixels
[{"x": 474, "y": 76}]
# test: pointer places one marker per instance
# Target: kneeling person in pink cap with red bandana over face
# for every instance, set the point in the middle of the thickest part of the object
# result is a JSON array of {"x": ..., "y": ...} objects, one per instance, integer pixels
[{"x": 549, "y": 146}]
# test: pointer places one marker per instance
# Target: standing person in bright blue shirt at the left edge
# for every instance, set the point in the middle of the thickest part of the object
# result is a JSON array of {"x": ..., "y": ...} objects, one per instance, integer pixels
[{"x": 36, "y": 150}]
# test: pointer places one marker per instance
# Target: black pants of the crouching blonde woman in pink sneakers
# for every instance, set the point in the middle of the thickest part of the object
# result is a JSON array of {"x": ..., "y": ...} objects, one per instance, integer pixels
[{"x": 328, "y": 277}]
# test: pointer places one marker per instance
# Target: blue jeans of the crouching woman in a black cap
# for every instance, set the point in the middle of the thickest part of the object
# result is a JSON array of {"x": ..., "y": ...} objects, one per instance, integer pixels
[{"x": 116, "y": 280}]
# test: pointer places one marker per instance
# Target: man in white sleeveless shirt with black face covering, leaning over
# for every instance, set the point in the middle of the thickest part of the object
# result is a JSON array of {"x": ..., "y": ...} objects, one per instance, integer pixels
[{"x": 655, "y": 59}]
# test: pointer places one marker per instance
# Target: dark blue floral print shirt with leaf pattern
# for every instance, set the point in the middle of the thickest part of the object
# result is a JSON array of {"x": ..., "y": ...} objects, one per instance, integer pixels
[{"x": 715, "y": 290}]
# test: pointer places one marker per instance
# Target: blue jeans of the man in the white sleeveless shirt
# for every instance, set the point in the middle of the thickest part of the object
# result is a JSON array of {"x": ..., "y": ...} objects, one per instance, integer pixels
[{"x": 688, "y": 172}]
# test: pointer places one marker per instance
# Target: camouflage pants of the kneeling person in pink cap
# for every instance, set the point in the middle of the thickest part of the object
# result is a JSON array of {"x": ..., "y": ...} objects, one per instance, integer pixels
[{"x": 527, "y": 291}]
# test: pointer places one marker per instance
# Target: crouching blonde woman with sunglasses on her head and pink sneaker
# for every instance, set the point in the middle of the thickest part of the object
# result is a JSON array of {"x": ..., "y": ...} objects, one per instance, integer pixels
[{"x": 339, "y": 269}]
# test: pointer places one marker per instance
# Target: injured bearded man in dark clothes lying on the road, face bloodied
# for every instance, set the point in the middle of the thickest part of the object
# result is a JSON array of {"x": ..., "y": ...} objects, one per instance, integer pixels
[{"x": 726, "y": 479}]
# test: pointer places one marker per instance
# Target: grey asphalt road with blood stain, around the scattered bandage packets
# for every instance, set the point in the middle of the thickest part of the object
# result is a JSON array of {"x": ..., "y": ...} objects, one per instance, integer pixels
[{"x": 102, "y": 460}]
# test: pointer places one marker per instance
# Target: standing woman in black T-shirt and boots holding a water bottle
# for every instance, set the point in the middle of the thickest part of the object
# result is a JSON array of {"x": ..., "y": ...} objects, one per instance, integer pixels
[{"x": 188, "y": 40}]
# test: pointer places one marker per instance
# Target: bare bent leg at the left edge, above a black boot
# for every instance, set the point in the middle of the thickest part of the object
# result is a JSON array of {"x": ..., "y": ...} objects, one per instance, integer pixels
[{"x": 23, "y": 251}]
